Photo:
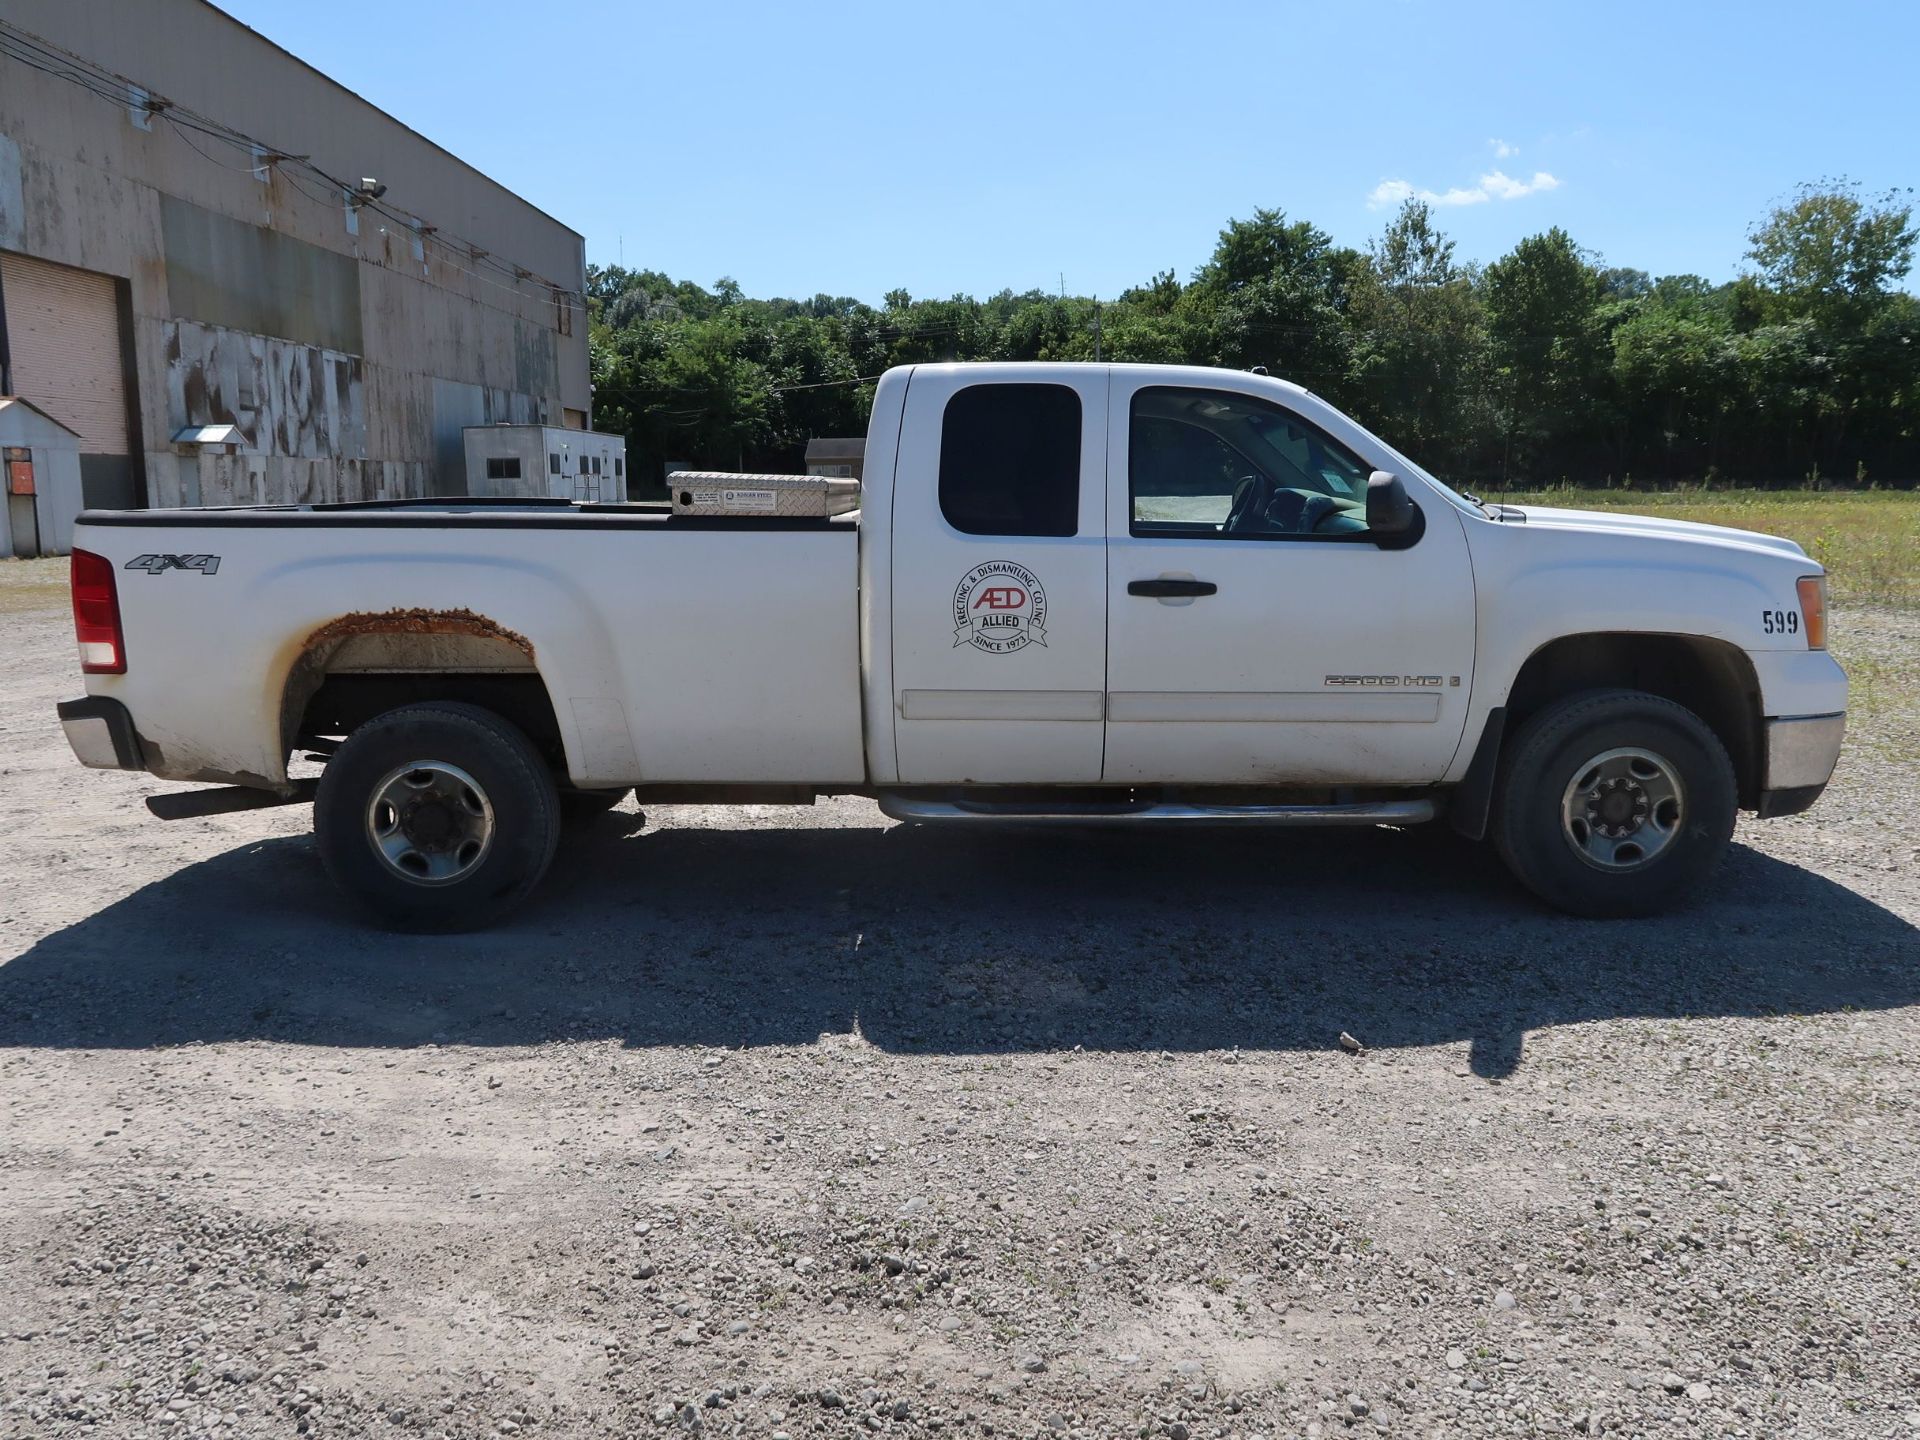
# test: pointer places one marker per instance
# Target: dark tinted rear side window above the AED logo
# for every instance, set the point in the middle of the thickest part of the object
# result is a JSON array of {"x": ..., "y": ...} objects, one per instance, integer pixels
[{"x": 1011, "y": 460}]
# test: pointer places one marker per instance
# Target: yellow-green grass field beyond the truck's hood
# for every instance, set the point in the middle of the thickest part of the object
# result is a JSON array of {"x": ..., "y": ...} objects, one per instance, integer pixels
[{"x": 1869, "y": 540}]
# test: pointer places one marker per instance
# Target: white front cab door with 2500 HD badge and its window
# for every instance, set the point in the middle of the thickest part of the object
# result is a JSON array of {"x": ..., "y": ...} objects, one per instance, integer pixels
[{"x": 1259, "y": 636}]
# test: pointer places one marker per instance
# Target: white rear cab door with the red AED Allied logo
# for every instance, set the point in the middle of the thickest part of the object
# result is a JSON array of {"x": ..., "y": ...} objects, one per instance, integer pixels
[{"x": 999, "y": 575}]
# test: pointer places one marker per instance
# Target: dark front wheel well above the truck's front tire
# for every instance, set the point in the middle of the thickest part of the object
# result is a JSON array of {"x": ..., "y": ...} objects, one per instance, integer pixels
[{"x": 1712, "y": 679}]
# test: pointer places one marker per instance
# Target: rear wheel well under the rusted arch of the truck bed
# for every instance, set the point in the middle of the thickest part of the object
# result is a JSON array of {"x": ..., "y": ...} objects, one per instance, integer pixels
[{"x": 364, "y": 665}]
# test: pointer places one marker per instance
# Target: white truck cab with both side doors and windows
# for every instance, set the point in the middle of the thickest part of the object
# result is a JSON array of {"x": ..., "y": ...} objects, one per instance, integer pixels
[{"x": 1163, "y": 577}]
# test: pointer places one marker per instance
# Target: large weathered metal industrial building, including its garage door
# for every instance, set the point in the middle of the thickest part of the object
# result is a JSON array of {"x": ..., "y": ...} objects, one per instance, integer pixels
[{"x": 237, "y": 281}]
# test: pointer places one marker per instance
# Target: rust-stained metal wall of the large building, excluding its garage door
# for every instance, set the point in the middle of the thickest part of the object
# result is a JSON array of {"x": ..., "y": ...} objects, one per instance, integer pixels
[{"x": 208, "y": 249}]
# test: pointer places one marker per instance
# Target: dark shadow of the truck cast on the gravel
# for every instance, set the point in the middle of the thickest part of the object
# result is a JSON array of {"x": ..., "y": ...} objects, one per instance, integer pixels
[{"x": 953, "y": 944}]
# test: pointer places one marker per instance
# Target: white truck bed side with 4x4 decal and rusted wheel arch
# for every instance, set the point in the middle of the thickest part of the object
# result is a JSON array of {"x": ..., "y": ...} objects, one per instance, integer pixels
[{"x": 702, "y": 650}]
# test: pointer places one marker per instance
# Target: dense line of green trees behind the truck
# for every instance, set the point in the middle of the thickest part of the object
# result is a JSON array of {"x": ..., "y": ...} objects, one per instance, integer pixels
[{"x": 1541, "y": 368}]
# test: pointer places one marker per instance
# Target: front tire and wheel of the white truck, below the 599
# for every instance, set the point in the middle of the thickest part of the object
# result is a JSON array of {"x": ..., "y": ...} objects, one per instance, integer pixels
[{"x": 1614, "y": 804}]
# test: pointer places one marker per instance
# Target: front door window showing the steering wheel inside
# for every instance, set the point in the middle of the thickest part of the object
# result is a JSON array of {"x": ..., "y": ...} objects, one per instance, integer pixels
[{"x": 1211, "y": 464}]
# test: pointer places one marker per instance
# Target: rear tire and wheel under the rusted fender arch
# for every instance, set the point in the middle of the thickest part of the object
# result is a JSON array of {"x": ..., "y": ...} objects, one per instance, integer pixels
[{"x": 437, "y": 817}]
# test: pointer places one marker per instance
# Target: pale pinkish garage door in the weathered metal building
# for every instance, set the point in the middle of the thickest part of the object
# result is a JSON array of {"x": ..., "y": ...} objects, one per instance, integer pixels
[{"x": 62, "y": 329}]
